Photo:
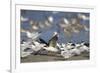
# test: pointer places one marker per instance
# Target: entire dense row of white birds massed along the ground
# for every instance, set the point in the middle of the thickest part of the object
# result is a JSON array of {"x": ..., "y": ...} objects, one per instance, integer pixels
[{"x": 66, "y": 50}]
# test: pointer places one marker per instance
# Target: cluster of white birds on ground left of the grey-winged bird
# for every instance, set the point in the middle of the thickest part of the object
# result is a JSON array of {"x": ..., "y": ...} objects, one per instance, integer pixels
[{"x": 27, "y": 48}]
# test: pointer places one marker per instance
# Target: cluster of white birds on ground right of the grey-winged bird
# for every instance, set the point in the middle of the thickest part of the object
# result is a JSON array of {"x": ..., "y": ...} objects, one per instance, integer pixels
[{"x": 69, "y": 50}]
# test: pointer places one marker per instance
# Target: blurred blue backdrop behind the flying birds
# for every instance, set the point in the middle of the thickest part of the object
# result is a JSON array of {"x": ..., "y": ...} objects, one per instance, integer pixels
[{"x": 42, "y": 16}]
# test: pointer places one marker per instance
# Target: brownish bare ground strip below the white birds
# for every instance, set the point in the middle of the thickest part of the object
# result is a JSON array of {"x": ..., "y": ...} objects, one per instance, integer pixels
[{"x": 48, "y": 58}]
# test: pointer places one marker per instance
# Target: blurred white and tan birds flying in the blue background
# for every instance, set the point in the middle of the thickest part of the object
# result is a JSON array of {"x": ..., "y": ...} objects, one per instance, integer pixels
[{"x": 69, "y": 26}]
